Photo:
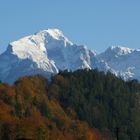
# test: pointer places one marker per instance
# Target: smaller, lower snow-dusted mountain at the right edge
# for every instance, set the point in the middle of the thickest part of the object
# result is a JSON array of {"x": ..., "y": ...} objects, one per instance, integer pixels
[{"x": 124, "y": 62}]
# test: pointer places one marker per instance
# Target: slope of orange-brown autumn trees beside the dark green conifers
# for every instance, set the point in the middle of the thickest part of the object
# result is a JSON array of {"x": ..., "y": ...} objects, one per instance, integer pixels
[{"x": 27, "y": 112}]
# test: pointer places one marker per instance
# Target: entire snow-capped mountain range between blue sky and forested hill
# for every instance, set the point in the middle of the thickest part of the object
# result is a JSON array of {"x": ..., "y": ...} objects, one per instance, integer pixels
[{"x": 48, "y": 51}]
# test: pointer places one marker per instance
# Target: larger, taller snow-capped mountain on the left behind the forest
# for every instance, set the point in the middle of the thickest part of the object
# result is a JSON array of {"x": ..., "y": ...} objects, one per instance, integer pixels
[{"x": 45, "y": 52}]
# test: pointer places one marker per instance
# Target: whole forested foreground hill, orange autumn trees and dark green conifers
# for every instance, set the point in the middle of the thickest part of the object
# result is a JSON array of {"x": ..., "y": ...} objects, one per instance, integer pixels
[{"x": 80, "y": 105}]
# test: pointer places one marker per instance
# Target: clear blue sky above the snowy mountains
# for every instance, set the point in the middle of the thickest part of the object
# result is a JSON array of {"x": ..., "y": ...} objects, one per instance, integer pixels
[{"x": 95, "y": 23}]
